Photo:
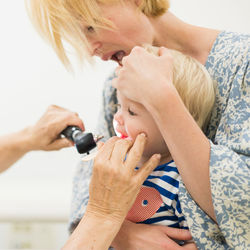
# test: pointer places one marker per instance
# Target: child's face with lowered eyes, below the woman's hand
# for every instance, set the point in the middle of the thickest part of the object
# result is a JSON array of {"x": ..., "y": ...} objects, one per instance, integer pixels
[{"x": 132, "y": 119}]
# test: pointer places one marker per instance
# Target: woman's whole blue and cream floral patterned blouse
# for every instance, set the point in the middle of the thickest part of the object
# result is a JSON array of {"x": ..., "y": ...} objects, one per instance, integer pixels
[{"x": 229, "y": 134}]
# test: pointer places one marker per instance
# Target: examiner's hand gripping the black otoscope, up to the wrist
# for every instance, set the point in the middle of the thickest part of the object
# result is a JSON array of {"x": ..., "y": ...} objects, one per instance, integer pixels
[{"x": 45, "y": 134}]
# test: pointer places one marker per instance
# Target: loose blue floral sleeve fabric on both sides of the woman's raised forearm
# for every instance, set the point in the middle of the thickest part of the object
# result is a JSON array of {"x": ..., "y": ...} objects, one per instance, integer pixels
[{"x": 230, "y": 188}]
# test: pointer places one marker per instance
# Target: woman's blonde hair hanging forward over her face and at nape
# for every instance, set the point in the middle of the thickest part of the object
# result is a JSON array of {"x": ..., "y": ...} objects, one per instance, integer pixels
[{"x": 60, "y": 21}]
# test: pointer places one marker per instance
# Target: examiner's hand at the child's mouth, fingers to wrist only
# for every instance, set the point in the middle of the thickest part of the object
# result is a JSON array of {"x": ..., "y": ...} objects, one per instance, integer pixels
[{"x": 115, "y": 183}]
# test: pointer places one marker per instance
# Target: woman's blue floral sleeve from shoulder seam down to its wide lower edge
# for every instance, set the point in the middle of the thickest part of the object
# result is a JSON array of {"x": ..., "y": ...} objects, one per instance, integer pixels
[{"x": 230, "y": 163}]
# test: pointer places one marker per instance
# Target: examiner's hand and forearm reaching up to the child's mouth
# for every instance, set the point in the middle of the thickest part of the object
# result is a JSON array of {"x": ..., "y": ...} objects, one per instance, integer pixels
[{"x": 113, "y": 188}]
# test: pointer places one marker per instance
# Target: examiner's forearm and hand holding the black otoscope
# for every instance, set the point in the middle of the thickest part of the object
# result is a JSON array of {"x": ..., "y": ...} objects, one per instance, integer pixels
[{"x": 44, "y": 135}]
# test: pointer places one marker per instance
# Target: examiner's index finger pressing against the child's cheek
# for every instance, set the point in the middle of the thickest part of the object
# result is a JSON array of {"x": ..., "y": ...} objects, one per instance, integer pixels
[{"x": 136, "y": 151}]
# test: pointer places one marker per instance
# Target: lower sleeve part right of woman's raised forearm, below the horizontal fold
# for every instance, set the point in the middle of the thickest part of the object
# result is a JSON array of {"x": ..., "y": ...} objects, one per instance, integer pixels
[{"x": 230, "y": 187}]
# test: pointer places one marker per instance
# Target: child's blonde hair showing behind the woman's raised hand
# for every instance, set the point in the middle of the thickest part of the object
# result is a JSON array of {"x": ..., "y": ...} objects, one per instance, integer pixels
[{"x": 194, "y": 85}]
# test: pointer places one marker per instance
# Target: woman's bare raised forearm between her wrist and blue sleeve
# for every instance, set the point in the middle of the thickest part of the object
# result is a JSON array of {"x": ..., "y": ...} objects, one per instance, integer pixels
[{"x": 188, "y": 145}]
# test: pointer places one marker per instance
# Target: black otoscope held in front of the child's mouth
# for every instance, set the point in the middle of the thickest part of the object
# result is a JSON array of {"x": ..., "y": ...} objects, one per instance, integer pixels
[{"x": 84, "y": 142}]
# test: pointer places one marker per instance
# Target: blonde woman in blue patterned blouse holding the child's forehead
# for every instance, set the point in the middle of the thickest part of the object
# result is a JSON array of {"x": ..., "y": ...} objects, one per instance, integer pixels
[{"x": 215, "y": 170}]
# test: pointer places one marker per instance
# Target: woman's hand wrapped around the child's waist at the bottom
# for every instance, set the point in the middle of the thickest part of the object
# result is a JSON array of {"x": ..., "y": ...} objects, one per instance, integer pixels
[{"x": 147, "y": 237}]
